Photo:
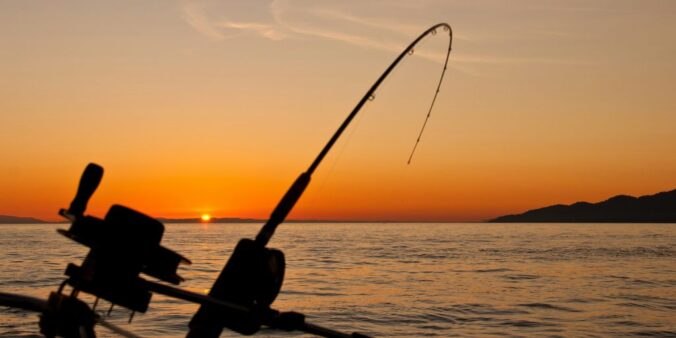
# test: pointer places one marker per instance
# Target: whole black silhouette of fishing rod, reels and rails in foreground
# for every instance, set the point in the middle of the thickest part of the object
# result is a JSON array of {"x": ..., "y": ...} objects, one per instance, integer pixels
[{"x": 126, "y": 243}]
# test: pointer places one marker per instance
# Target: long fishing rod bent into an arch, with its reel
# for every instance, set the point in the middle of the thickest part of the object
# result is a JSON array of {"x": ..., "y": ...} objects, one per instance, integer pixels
[{"x": 254, "y": 274}]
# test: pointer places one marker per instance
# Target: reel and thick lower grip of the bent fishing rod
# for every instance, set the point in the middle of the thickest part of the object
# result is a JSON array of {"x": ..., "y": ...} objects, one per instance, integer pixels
[{"x": 252, "y": 277}]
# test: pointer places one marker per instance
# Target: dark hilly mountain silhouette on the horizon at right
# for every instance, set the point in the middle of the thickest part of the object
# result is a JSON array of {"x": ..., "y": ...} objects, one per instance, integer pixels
[{"x": 658, "y": 208}]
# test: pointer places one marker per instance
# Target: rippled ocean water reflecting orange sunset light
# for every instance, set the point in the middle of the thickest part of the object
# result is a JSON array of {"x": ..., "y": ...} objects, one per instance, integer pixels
[{"x": 404, "y": 280}]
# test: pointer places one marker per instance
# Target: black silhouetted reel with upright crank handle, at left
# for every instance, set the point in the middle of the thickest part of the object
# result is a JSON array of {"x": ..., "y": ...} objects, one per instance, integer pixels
[{"x": 124, "y": 244}]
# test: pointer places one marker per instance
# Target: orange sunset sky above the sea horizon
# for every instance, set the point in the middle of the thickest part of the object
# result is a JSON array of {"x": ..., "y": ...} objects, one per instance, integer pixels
[{"x": 212, "y": 107}]
